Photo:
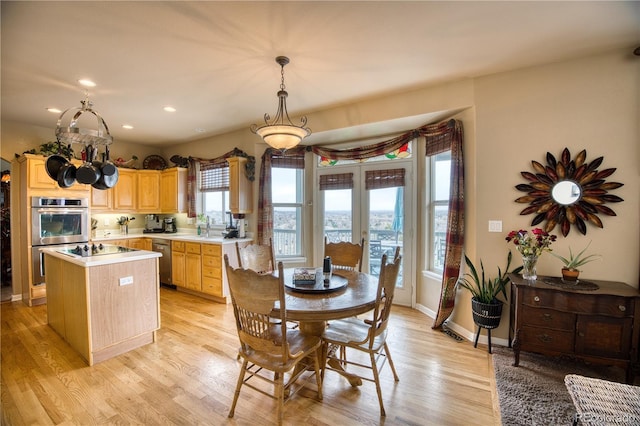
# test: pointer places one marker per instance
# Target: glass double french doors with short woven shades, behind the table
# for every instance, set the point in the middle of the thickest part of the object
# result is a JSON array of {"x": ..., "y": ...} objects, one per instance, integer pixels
[{"x": 382, "y": 216}]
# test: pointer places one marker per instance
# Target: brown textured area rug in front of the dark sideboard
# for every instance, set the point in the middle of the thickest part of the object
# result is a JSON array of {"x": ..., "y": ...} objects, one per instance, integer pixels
[{"x": 534, "y": 392}]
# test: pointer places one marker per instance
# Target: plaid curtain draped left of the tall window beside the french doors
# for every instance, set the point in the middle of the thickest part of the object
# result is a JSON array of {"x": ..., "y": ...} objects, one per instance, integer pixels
[{"x": 273, "y": 157}]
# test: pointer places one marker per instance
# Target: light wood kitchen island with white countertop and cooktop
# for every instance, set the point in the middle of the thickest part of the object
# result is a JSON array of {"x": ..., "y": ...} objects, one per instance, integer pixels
[{"x": 103, "y": 305}]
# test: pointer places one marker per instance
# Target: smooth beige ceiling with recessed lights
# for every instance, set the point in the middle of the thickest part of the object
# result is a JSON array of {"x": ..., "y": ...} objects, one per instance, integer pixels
[{"x": 215, "y": 61}]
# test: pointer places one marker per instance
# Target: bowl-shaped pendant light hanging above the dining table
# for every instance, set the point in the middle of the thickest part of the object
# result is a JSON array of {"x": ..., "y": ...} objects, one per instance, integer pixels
[{"x": 281, "y": 133}]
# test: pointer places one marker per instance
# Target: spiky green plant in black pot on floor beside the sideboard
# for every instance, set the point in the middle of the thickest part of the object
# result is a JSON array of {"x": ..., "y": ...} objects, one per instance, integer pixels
[{"x": 485, "y": 305}]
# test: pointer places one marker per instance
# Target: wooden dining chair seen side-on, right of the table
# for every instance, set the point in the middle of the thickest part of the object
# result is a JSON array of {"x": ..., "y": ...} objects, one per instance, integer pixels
[{"x": 366, "y": 334}]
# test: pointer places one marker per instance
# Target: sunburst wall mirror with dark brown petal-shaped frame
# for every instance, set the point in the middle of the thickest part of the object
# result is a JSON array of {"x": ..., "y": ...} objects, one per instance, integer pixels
[{"x": 567, "y": 192}]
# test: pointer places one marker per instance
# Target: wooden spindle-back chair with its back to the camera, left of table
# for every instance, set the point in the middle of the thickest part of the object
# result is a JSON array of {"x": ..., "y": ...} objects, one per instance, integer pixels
[{"x": 264, "y": 345}]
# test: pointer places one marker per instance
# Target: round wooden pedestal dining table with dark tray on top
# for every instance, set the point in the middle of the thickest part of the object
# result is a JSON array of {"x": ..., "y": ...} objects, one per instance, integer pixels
[{"x": 312, "y": 310}]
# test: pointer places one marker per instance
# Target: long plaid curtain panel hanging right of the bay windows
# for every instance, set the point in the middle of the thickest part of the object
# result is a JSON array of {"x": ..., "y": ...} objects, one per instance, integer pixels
[{"x": 439, "y": 138}]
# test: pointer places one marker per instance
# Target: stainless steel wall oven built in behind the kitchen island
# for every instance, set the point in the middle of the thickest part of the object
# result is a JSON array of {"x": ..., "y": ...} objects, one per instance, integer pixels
[{"x": 56, "y": 221}]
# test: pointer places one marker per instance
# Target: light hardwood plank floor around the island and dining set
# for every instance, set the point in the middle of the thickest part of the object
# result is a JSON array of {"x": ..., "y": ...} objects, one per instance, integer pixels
[{"x": 187, "y": 377}]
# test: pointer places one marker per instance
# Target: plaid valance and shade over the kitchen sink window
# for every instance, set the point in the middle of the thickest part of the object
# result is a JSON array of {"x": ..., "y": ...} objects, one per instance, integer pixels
[{"x": 212, "y": 179}]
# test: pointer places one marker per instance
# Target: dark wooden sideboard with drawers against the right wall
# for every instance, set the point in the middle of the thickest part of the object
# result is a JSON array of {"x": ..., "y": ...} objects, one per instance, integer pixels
[{"x": 597, "y": 325}]
